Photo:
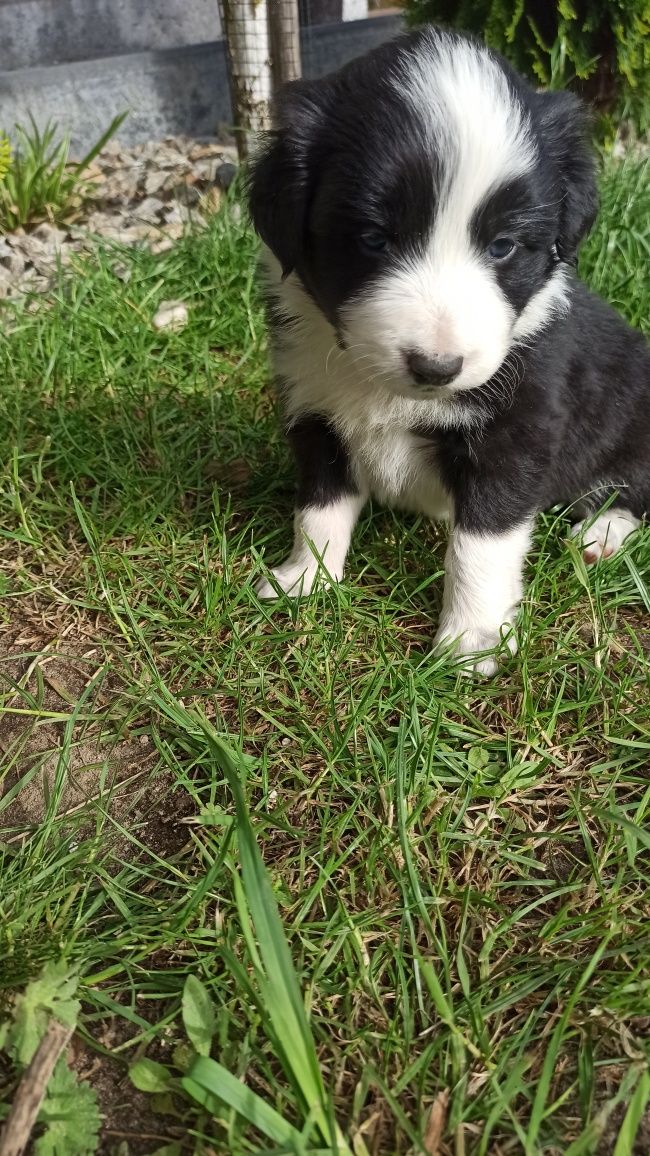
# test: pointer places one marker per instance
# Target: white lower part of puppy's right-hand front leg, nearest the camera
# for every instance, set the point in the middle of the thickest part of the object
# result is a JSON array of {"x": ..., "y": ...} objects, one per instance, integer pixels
[{"x": 483, "y": 591}]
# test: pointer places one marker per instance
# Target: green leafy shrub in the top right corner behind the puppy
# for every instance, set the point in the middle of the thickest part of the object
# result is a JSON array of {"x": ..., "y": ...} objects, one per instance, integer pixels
[{"x": 600, "y": 47}]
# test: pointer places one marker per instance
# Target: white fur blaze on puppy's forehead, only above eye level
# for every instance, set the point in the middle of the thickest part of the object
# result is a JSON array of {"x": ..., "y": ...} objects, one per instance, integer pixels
[{"x": 478, "y": 129}]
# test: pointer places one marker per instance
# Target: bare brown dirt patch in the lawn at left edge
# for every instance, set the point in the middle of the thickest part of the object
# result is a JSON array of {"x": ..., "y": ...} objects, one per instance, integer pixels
[{"x": 57, "y": 739}]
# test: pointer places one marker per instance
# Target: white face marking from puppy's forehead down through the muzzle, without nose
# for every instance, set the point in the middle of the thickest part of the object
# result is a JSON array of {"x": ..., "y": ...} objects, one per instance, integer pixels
[{"x": 445, "y": 299}]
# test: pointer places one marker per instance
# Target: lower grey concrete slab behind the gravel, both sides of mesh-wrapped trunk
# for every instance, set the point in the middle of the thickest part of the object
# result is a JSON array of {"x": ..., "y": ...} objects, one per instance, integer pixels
[{"x": 168, "y": 92}]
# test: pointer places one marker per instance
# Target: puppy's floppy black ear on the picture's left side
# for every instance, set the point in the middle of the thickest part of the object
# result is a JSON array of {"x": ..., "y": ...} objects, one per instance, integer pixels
[{"x": 280, "y": 176}]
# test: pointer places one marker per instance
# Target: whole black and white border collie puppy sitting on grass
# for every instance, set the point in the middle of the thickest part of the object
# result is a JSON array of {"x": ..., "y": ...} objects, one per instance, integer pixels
[{"x": 422, "y": 212}]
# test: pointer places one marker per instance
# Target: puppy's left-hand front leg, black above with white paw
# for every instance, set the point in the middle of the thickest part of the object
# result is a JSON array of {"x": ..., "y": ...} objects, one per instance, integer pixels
[{"x": 329, "y": 505}]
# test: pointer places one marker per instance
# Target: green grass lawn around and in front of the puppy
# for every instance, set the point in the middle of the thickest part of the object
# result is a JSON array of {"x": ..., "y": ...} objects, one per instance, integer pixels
[{"x": 461, "y": 868}]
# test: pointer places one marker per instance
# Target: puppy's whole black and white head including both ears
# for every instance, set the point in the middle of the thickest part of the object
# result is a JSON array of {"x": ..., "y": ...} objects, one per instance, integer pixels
[{"x": 429, "y": 201}]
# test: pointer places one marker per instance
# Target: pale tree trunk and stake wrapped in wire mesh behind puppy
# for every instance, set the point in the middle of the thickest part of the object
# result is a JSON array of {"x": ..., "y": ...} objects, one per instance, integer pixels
[{"x": 263, "y": 47}]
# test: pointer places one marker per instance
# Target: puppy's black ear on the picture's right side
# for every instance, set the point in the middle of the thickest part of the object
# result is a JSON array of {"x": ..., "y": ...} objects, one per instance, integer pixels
[{"x": 566, "y": 128}]
